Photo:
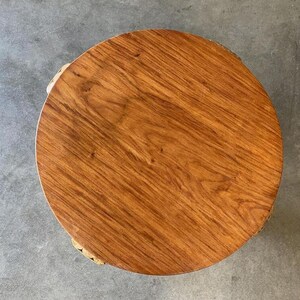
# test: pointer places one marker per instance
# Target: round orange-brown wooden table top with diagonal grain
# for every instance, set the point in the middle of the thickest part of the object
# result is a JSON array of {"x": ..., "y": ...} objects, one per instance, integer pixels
[{"x": 159, "y": 152}]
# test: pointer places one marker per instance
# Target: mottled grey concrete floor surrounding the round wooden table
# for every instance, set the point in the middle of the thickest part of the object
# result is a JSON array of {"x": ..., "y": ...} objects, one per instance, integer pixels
[{"x": 37, "y": 260}]
